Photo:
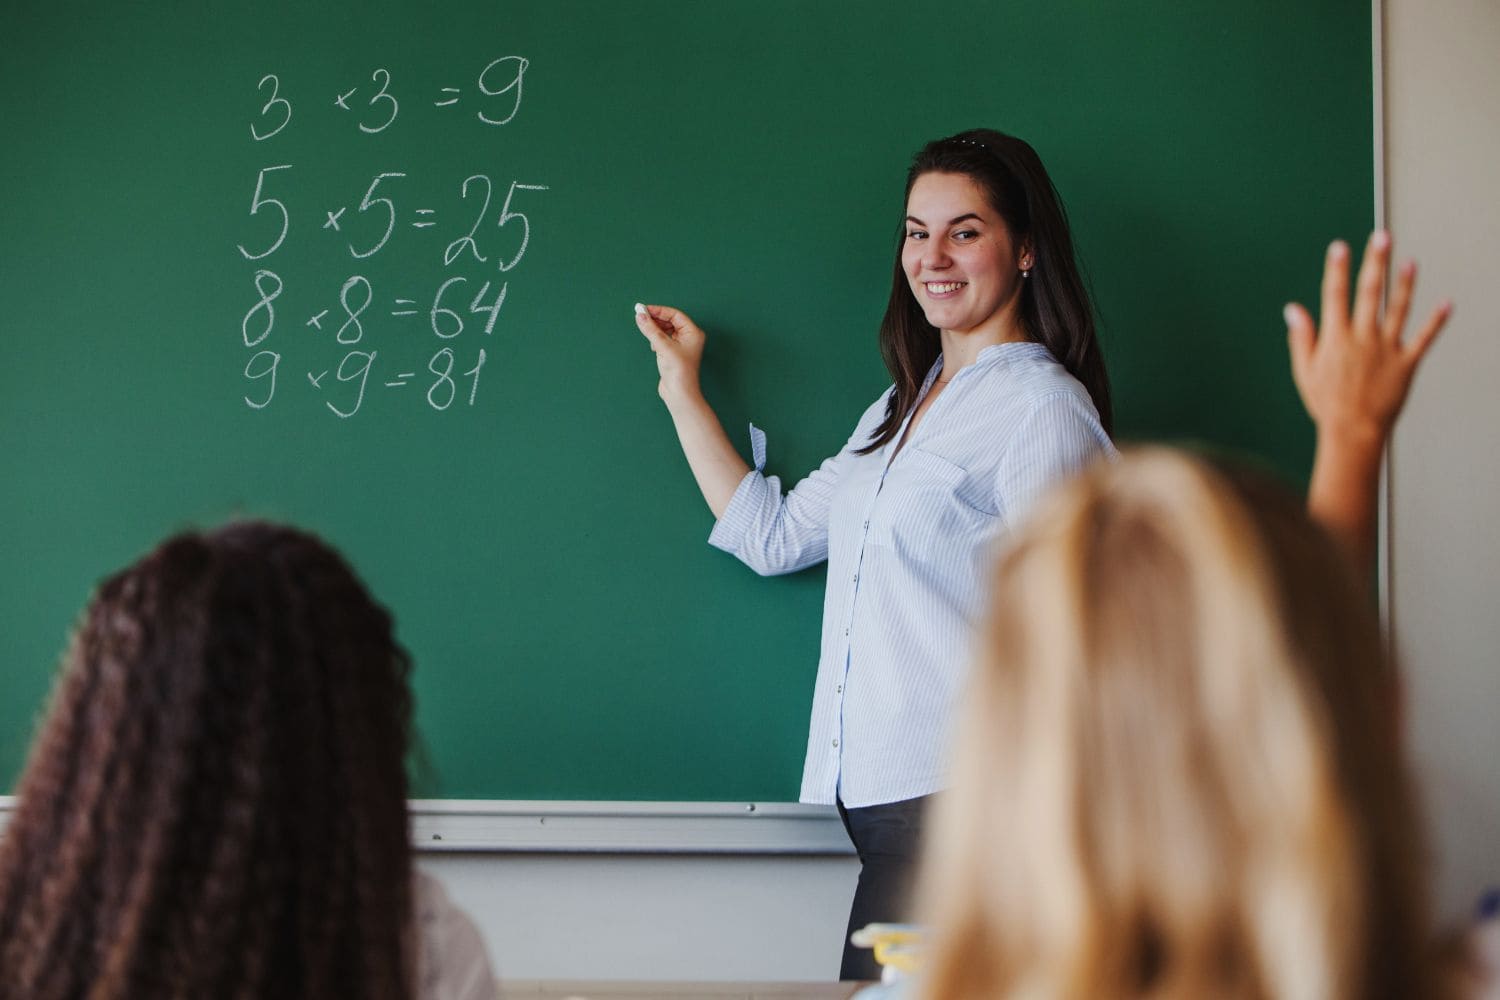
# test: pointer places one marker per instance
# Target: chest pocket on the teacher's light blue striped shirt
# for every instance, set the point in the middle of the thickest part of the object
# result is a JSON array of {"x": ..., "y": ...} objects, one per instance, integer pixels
[{"x": 931, "y": 510}]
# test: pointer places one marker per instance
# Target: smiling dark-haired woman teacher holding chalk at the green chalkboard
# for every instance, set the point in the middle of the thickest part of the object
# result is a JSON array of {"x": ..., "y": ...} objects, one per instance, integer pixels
[{"x": 1000, "y": 391}]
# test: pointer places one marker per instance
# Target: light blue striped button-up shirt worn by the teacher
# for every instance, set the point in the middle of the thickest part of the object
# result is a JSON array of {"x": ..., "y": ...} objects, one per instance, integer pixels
[{"x": 908, "y": 545}]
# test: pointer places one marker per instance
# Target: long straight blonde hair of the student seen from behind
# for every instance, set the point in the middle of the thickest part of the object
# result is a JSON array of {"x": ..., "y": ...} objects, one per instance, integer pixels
[{"x": 1178, "y": 771}]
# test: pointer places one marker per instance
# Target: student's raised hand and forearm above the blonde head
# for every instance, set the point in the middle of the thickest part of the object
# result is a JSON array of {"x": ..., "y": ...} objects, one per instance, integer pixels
[{"x": 1354, "y": 376}]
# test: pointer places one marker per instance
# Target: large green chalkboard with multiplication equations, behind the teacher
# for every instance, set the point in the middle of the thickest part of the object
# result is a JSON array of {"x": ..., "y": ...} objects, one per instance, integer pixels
[{"x": 196, "y": 199}]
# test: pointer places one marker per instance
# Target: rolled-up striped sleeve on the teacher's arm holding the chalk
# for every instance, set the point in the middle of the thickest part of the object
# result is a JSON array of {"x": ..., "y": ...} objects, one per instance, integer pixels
[{"x": 773, "y": 533}]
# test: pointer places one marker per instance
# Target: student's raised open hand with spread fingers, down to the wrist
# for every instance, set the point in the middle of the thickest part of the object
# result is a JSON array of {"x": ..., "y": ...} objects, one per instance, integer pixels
[{"x": 1355, "y": 371}]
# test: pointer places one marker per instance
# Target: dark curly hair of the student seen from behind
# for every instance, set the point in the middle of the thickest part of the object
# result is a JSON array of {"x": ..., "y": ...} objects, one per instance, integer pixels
[{"x": 217, "y": 804}]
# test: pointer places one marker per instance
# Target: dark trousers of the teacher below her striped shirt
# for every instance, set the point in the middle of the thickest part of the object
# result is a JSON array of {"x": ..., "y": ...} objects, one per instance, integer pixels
[{"x": 886, "y": 837}]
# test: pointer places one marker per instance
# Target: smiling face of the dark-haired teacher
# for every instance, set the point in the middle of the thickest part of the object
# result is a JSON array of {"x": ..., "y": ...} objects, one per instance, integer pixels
[{"x": 959, "y": 257}]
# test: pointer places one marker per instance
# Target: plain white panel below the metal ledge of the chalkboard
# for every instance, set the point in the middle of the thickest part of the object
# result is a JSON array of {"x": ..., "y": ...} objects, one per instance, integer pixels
[{"x": 655, "y": 917}]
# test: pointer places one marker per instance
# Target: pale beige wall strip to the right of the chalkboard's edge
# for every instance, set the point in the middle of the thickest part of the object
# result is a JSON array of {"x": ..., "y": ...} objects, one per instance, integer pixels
[{"x": 1444, "y": 206}]
